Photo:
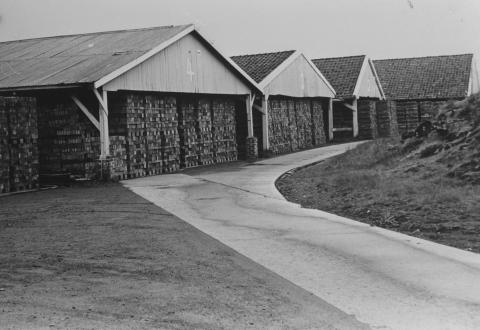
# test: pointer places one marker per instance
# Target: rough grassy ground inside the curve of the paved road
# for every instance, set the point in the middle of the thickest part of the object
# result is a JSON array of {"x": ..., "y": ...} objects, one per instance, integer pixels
[{"x": 377, "y": 184}]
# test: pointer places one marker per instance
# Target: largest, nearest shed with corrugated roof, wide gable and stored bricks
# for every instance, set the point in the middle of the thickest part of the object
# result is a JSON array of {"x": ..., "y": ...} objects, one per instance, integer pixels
[{"x": 144, "y": 101}]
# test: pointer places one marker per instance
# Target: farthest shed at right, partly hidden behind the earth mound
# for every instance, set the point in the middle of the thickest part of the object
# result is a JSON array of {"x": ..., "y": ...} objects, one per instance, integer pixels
[{"x": 420, "y": 85}]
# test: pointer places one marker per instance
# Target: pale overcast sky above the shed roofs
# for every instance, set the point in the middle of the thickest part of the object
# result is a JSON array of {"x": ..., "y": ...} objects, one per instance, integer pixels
[{"x": 320, "y": 28}]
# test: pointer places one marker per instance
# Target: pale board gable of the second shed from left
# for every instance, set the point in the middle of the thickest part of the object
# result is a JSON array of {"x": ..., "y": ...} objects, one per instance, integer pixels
[{"x": 299, "y": 80}]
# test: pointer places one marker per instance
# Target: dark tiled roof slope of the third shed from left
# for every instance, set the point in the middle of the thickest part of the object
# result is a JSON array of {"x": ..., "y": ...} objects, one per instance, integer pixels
[{"x": 342, "y": 72}]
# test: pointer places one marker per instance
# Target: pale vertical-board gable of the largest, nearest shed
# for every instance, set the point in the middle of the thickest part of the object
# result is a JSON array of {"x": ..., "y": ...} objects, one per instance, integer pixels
[{"x": 186, "y": 66}]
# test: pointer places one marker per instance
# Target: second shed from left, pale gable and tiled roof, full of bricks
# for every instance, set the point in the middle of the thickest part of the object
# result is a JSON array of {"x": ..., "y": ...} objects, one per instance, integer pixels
[{"x": 292, "y": 112}]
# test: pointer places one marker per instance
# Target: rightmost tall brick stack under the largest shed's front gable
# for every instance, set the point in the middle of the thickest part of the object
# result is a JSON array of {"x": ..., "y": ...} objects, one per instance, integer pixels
[{"x": 224, "y": 131}]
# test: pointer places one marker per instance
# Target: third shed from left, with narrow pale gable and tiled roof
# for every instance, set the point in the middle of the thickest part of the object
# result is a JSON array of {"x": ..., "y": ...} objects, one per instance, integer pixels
[{"x": 358, "y": 88}]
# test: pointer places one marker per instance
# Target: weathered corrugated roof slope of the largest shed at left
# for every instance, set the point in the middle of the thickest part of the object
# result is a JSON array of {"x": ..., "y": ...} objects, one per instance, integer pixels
[{"x": 76, "y": 59}]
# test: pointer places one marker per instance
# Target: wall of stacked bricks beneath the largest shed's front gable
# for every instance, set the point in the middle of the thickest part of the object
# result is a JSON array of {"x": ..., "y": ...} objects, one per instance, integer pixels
[{"x": 163, "y": 133}]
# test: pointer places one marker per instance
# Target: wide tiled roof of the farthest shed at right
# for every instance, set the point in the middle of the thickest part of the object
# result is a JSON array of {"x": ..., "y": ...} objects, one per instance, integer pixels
[{"x": 432, "y": 77}]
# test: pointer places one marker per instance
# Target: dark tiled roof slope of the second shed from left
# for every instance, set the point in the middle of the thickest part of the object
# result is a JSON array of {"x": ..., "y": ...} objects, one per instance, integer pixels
[{"x": 259, "y": 66}]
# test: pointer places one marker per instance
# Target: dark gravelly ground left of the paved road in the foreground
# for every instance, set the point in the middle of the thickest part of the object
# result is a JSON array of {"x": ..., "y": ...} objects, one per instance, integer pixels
[{"x": 100, "y": 257}]
